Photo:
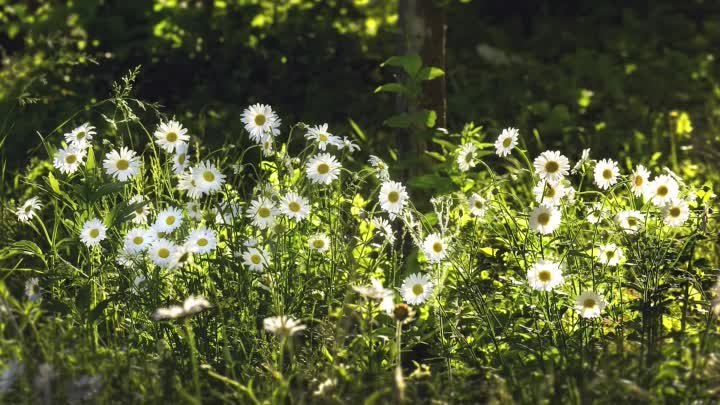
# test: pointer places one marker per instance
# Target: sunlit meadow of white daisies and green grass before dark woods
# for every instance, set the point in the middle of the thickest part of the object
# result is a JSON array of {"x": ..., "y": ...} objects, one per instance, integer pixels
[{"x": 299, "y": 262}]
